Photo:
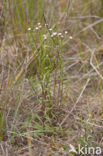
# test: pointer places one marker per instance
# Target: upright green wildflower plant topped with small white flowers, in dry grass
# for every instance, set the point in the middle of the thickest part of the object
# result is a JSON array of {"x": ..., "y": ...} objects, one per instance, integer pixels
[{"x": 48, "y": 62}]
